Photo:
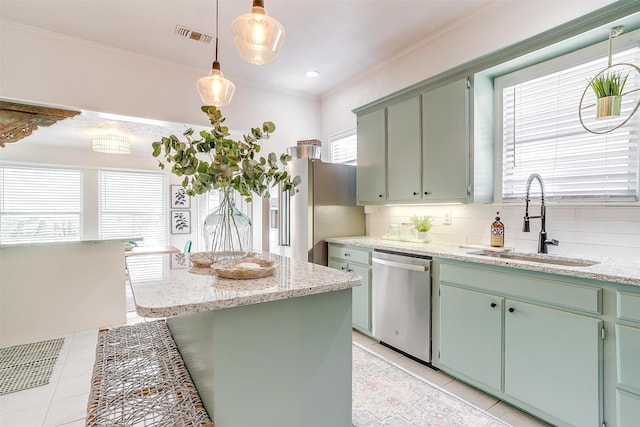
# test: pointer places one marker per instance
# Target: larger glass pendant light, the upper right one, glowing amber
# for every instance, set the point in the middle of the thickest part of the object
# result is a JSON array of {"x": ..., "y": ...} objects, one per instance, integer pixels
[{"x": 258, "y": 37}]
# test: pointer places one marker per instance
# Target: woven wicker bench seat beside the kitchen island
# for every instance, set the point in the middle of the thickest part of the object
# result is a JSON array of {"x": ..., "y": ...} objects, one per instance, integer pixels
[{"x": 139, "y": 379}]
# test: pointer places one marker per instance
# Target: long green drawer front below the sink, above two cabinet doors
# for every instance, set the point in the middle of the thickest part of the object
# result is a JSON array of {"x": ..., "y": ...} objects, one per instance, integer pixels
[{"x": 533, "y": 287}]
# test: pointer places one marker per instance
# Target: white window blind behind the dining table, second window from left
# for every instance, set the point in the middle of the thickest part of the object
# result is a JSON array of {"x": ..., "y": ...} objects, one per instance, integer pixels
[{"x": 133, "y": 205}]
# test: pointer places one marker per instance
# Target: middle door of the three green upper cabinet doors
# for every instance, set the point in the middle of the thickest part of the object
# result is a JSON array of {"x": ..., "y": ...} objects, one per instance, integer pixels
[{"x": 404, "y": 143}]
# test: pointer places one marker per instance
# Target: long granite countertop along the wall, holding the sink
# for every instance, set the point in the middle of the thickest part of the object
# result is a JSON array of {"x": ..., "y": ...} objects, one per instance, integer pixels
[{"x": 605, "y": 270}]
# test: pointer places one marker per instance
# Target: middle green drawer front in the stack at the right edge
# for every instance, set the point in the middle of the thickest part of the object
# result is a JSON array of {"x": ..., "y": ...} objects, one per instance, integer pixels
[{"x": 628, "y": 352}]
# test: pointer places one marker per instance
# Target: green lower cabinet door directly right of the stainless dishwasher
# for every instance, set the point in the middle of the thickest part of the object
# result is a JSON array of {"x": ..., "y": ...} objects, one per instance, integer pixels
[{"x": 471, "y": 334}]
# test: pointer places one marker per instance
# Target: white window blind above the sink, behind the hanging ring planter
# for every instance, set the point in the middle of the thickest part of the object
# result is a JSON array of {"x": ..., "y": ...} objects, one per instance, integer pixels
[{"x": 541, "y": 133}]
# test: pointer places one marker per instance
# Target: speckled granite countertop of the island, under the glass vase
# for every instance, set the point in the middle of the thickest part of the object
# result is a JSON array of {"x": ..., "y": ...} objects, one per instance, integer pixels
[{"x": 183, "y": 292}]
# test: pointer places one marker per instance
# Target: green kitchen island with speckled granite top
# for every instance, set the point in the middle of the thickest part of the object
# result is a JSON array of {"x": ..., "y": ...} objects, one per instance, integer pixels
[{"x": 274, "y": 351}]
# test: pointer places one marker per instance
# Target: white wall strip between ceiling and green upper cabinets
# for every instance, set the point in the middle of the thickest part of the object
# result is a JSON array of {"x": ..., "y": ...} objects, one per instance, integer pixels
[{"x": 500, "y": 24}]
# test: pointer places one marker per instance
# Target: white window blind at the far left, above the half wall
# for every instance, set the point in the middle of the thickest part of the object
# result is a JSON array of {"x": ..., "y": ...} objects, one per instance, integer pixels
[{"x": 40, "y": 204}]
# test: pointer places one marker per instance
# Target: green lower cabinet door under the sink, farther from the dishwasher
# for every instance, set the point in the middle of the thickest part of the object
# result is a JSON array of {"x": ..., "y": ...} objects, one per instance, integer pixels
[{"x": 553, "y": 362}]
